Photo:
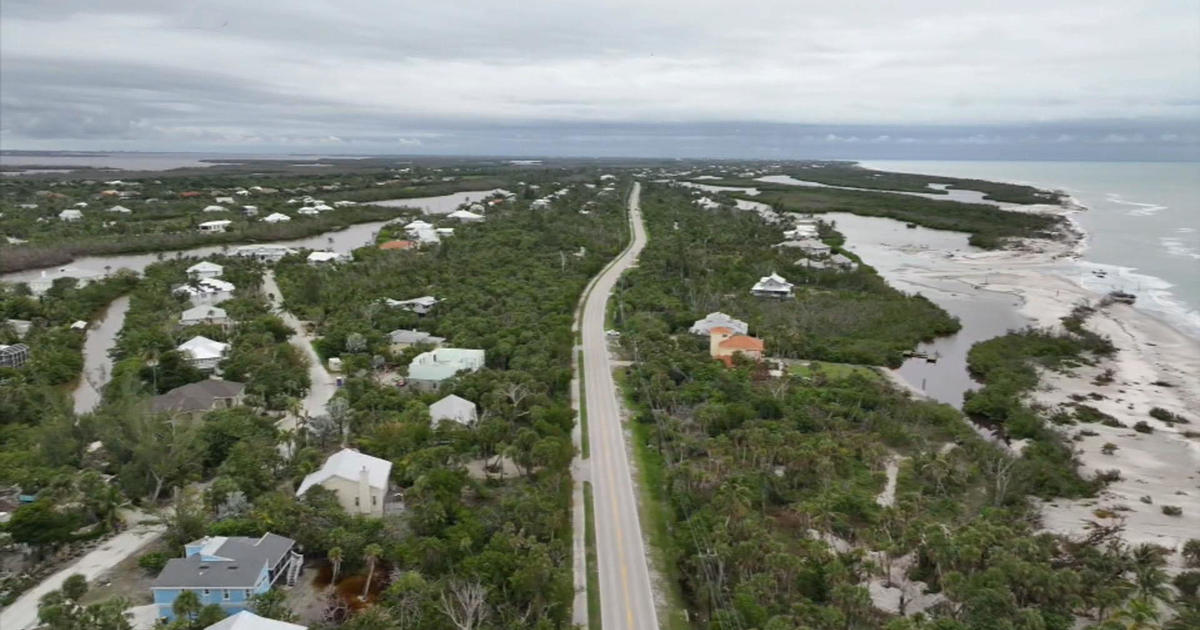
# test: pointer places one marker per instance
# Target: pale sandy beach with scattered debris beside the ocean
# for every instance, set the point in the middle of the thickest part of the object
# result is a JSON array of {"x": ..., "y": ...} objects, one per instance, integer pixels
[{"x": 1155, "y": 367}]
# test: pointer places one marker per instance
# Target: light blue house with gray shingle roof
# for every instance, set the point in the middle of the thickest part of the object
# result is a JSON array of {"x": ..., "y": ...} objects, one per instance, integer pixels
[{"x": 227, "y": 572}]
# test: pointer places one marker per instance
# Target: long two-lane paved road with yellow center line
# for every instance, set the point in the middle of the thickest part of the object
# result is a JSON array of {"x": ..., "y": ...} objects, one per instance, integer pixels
[{"x": 627, "y": 601}]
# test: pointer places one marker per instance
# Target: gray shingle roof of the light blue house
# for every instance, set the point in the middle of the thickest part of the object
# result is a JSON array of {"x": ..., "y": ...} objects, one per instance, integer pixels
[{"x": 248, "y": 556}]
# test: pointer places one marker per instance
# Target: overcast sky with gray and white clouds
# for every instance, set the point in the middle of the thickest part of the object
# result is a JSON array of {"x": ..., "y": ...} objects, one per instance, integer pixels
[{"x": 920, "y": 79}]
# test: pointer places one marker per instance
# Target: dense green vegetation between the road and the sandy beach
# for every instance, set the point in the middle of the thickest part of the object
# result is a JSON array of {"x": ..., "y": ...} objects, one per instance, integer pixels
[{"x": 772, "y": 487}]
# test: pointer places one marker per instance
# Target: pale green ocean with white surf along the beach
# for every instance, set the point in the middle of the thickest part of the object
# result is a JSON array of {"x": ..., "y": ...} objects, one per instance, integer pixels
[{"x": 1143, "y": 225}]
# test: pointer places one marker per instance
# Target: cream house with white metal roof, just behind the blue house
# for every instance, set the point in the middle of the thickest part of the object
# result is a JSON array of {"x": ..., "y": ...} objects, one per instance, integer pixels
[{"x": 359, "y": 481}]
